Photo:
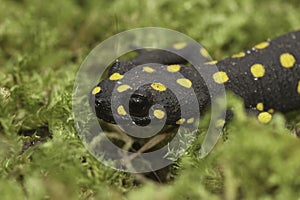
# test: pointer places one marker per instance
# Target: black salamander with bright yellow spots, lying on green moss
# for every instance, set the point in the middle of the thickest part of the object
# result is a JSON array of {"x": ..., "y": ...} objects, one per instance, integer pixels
[{"x": 267, "y": 77}]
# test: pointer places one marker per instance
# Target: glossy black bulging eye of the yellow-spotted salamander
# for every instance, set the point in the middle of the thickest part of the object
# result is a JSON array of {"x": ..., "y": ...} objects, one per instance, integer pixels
[{"x": 139, "y": 105}]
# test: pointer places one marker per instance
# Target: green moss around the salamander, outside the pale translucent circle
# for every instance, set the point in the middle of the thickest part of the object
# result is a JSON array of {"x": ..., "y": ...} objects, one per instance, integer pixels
[{"x": 42, "y": 45}]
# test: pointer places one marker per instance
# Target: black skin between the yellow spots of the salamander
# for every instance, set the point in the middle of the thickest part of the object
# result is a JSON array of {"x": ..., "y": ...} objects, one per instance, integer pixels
[{"x": 277, "y": 89}]
